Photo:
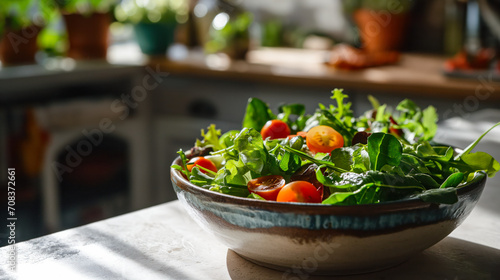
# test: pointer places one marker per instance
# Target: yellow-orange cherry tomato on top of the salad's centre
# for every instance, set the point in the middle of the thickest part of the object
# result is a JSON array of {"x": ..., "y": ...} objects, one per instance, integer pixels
[{"x": 323, "y": 139}]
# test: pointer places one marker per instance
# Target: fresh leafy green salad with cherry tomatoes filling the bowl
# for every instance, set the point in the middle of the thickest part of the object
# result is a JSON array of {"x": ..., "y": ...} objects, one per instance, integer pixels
[{"x": 333, "y": 157}]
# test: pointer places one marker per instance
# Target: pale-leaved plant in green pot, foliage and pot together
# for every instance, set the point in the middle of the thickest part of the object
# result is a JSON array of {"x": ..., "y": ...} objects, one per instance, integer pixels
[{"x": 154, "y": 22}]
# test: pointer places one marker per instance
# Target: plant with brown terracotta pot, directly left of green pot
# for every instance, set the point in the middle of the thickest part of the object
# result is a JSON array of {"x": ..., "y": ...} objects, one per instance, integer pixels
[{"x": 87, "y": 25}]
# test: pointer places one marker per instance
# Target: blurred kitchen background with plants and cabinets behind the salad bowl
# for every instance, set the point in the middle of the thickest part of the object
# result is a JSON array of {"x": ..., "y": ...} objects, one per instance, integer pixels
[{"x": 96, "y": 96}]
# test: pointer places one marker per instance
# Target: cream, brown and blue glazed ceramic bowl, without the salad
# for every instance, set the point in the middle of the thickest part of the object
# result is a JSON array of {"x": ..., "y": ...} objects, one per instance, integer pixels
[{"x": 324, "y": 239}]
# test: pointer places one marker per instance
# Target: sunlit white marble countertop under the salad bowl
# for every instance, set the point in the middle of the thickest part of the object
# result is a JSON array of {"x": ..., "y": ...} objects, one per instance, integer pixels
[{"x": 163, "y": 242}]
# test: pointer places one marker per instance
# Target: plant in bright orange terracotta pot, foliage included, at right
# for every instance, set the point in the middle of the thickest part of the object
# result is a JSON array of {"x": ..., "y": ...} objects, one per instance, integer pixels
[{"x": 381, "y": 23}]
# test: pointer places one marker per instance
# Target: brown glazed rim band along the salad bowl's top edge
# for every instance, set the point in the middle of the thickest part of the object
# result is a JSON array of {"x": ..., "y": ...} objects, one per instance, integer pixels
[{"x": 181, "y": 182}]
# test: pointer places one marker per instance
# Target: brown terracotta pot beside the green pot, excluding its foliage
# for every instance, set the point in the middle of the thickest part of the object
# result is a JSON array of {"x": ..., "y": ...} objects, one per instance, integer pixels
[{"x": 88, "y": 36}]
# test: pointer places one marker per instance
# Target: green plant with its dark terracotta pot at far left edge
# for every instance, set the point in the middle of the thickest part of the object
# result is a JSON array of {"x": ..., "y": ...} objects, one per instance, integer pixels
[{"x": 20, "y": 24}]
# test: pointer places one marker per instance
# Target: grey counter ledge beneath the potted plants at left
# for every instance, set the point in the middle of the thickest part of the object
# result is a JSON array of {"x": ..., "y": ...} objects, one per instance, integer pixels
[{"x": 38, "y": 83}]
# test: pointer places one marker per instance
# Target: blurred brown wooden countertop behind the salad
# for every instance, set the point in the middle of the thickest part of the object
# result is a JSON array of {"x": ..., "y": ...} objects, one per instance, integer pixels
[{"x": 417, "y": 74}]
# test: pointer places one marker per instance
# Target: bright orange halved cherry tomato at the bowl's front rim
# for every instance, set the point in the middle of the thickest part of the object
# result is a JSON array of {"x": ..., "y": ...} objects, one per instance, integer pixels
[{"x": 299, "y": 191}]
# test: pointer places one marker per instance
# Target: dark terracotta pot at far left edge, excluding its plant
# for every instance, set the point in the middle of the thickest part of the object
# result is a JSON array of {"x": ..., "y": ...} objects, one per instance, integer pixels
[{"x": 19, "y": 46}]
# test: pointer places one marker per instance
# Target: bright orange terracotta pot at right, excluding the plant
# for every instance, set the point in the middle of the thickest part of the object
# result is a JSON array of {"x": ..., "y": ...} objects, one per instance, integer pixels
[{"x": 381, "y": 30}]
